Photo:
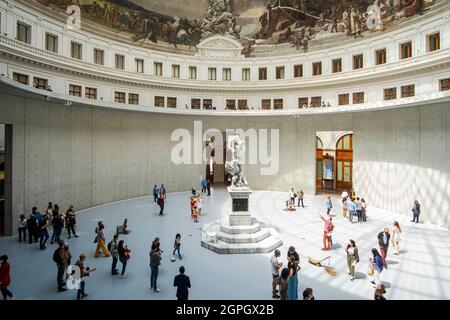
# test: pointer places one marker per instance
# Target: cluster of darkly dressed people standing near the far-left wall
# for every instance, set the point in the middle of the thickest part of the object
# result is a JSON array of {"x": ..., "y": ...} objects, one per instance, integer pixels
[{"x": 37, "y": 224}]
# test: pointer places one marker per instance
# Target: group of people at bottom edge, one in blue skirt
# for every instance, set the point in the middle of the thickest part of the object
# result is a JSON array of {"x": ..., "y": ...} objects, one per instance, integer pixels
[{"x": 286, "y": 279}]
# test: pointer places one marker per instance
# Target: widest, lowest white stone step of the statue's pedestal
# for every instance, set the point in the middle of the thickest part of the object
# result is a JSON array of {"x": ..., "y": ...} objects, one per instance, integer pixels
[{"x": 269, "y": 244}]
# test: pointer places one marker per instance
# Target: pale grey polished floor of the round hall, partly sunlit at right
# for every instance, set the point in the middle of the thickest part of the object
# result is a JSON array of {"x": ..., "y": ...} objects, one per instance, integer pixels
[{"x": 420, "y": 272}]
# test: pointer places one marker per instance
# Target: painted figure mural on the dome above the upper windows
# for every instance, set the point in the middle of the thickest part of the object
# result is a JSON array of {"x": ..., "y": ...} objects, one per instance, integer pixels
[{"x": 254, "y": 22}]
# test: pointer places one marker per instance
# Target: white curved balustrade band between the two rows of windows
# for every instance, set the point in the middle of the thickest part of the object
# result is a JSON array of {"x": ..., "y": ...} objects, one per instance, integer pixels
[{"x": 25, "y": 50}]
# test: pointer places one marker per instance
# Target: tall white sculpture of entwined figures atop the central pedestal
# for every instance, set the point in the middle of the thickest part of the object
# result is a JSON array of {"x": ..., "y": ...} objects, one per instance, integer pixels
[{"x": 234, "y": 165}]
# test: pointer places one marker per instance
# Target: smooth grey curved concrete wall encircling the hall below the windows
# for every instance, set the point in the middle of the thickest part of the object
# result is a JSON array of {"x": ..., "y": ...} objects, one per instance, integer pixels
[{"x": 88, "y": 156}]
